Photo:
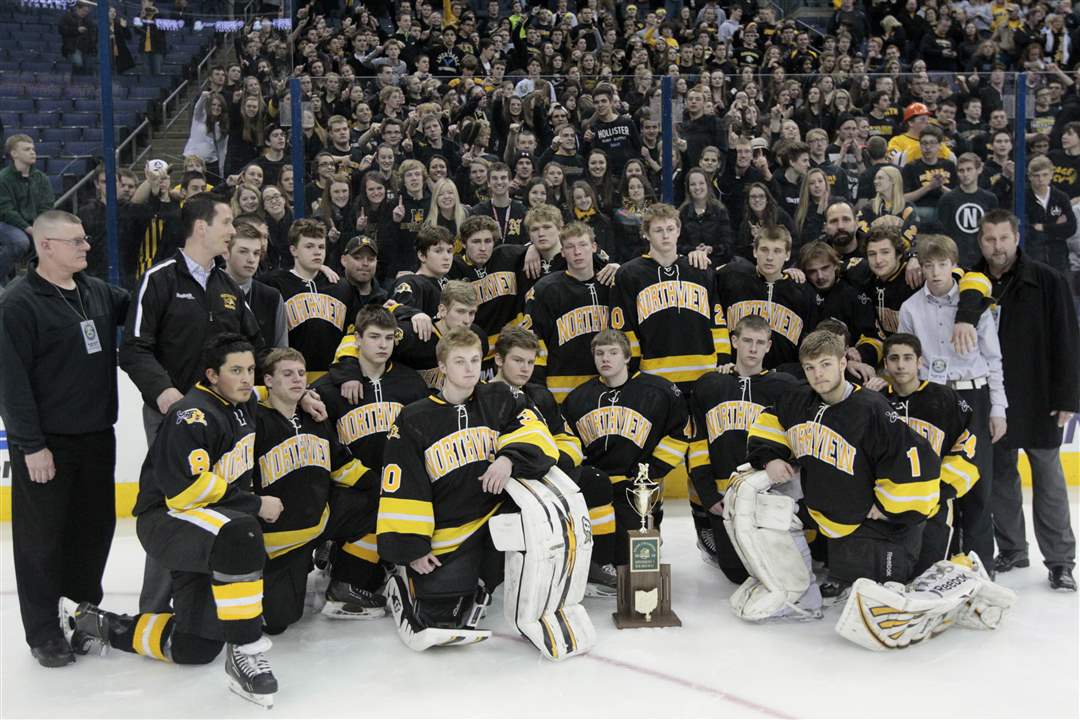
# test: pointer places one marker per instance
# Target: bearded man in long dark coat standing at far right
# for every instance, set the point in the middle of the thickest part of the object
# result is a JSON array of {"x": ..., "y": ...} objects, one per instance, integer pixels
[{"x": 1037, "y": 325}]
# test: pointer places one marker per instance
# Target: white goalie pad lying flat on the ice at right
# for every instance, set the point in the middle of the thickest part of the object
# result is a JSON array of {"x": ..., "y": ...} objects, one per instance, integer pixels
[{"x": 892, "y": 617}]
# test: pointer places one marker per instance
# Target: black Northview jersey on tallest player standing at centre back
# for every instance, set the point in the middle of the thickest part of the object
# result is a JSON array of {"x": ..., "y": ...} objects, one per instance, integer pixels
[{"x": 673, "y": 318}]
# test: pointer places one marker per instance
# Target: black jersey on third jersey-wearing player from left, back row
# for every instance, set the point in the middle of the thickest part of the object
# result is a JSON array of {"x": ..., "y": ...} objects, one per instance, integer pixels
[{"x": 497, "y": 284}]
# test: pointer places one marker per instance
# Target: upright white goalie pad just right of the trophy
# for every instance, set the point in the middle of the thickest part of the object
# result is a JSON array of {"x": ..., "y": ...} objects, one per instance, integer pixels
[{"x": 768, "y": 538}]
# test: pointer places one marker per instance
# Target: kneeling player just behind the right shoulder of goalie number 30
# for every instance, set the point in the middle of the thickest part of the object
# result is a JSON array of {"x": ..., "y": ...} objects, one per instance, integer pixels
[{"x": 516, "y": 355}]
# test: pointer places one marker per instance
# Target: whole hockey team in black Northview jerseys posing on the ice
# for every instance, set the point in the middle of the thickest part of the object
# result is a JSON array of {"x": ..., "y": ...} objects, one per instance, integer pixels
[{"x": 409, "y": 451}]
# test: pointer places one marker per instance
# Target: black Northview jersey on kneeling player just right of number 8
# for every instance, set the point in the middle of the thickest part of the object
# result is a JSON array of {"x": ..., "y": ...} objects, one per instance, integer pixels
[{"x": 298, "y": 459}]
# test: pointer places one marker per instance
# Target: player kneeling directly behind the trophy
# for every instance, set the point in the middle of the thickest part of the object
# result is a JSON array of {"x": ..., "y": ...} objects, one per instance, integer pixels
[{"x": 624, "y": 420}]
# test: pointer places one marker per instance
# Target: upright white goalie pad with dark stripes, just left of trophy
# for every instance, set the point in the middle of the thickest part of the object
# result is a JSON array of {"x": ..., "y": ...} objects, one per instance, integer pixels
[{"x": 548, "y": 548}]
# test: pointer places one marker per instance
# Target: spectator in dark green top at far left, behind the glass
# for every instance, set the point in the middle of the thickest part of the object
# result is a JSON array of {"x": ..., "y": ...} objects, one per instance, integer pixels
[{"x": 24, "y": 195}]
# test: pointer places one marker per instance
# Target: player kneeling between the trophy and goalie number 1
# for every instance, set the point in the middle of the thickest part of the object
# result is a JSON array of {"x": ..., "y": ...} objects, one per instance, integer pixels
[{"x": 723, "y": 407}]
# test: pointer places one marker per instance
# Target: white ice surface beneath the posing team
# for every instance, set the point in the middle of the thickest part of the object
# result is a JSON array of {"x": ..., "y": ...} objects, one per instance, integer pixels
[{"x": 713, "y": 667}]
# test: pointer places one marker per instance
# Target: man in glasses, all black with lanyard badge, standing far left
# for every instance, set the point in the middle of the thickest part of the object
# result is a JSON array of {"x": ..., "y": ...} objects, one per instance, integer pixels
[{"x": 59, "y": 405}]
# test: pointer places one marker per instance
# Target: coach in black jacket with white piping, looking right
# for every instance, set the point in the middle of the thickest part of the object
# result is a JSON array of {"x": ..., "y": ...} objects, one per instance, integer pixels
[{"x": 182, "y": 303}]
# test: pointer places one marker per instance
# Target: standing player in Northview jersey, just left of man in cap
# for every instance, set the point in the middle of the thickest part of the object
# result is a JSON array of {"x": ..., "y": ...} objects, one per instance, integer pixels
[{"x": 317, "y": 310}]
